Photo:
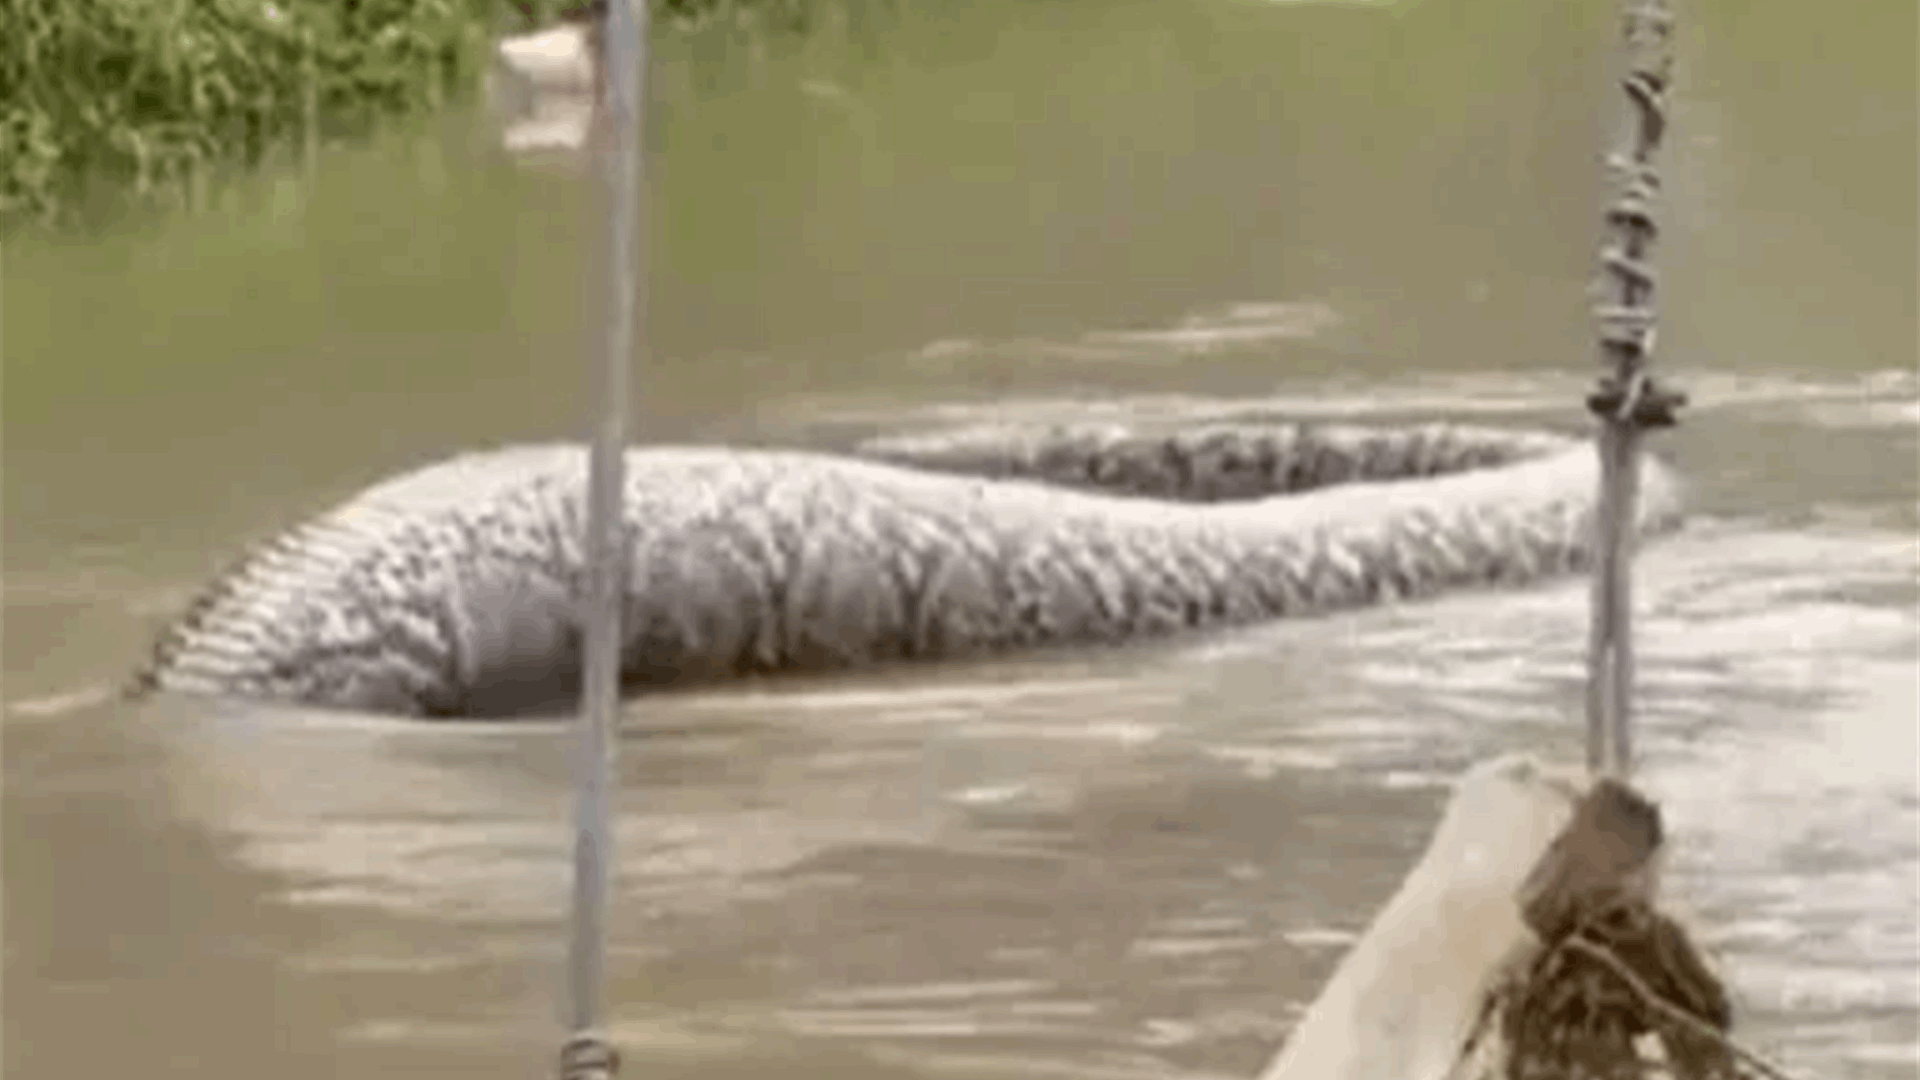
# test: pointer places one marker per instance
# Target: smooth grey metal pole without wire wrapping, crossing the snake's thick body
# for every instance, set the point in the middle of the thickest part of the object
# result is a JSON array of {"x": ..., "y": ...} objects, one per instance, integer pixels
[{"x": 617, "y": 147}]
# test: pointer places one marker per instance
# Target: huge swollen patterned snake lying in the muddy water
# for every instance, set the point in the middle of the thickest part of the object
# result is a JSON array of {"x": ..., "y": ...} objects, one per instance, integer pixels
[{"x": 450, "y": 591}]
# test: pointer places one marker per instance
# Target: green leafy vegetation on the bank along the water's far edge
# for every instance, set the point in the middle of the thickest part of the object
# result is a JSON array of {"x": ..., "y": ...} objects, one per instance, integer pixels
[{"x": 145, "y": 95}]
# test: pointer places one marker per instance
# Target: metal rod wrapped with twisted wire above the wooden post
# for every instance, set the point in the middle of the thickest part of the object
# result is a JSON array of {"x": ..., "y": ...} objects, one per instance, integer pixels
[{"x": 1627, "y": 401}]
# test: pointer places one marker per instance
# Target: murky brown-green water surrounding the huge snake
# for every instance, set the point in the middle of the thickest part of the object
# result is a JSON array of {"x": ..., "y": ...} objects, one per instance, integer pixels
[{"x": 1101, "y": 864}]
